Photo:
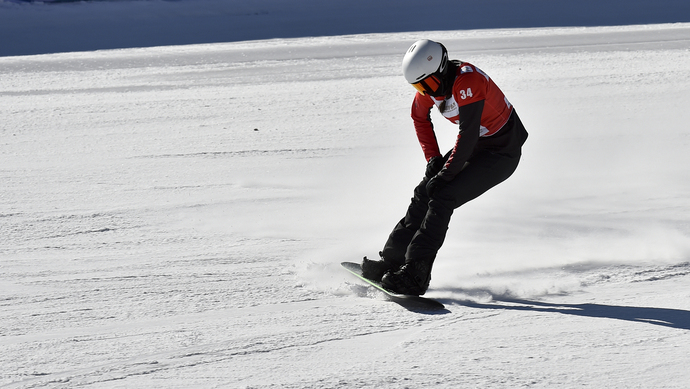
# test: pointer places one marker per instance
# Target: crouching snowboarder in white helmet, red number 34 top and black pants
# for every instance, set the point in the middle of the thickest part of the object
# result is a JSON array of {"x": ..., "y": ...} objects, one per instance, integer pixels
[{"x": 486, "y": 152}]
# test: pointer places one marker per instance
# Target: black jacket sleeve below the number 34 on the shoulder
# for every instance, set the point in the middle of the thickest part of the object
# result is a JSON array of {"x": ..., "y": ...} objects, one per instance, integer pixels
[{"x": 468, "y": 135}]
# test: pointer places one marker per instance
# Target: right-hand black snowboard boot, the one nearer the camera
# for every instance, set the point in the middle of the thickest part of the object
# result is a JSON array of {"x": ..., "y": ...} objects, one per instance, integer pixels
[{"x": 412, "y": 278}]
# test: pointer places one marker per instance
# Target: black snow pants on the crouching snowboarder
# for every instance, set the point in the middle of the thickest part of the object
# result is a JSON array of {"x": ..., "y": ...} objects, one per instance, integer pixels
[{"x": 420, "y": 234}]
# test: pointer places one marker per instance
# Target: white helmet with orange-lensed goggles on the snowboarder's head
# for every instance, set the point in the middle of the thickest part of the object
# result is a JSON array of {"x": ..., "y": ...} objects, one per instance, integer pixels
[{"x": 423, "y": 59}]
